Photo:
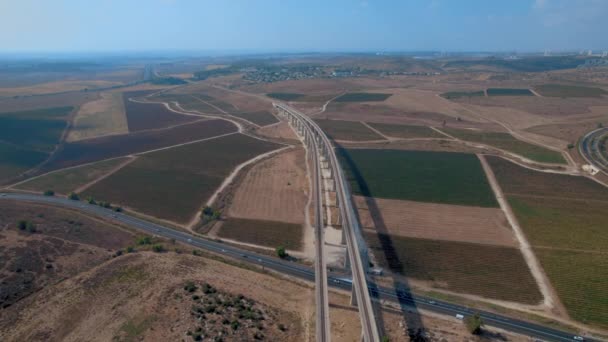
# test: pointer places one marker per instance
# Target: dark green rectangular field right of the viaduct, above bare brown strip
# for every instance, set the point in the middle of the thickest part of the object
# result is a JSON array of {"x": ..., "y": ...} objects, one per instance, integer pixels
[{"x": 439, "y": 177}]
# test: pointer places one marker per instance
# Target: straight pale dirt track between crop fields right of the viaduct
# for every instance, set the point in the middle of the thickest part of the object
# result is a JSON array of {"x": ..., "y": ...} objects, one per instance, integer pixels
[{"x": 550, "y": 300}]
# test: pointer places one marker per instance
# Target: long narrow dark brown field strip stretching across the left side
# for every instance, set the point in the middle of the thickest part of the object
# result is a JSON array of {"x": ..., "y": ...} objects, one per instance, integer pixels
[{"x": 92, "y": 150}]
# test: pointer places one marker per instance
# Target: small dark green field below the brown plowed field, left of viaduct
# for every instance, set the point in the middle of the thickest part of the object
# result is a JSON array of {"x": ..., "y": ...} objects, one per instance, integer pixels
[{"x": 265, "y": 233}]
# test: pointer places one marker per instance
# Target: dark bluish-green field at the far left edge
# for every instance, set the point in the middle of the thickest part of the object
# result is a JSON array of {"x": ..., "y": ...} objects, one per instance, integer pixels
[{"x": 27, "y": 138}]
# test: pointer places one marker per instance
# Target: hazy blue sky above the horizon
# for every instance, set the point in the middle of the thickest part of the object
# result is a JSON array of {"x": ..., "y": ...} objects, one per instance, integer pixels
[{"x": 303, "y": 25}]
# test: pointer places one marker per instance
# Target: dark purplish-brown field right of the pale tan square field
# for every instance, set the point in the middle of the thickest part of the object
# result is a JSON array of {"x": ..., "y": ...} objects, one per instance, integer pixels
[{"x": 145, "y": 116}]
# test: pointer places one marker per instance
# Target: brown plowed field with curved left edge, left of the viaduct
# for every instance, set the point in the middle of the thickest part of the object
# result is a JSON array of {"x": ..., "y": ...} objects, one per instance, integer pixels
[{"x": 274, "y": 189}]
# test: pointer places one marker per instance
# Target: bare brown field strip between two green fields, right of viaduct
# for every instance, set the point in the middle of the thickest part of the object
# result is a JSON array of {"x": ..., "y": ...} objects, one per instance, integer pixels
[{"x": 437, "y": 221}]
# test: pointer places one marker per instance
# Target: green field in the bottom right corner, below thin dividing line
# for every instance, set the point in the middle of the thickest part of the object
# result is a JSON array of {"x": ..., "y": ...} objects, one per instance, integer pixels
[{"x": 581, "y": 280}]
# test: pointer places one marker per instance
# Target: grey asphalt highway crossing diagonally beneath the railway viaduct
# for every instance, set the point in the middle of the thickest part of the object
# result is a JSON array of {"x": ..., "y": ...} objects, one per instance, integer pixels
[{"x": 300, "y": 271}]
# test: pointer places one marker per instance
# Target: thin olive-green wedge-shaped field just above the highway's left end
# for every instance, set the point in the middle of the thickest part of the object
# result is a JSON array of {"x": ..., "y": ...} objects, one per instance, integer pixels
[{"x": 66, "y": 181}]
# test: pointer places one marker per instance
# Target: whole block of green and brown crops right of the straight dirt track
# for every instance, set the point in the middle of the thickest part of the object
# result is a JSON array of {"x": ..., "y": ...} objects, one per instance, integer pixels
[{"x": 564, "y": 218}]
